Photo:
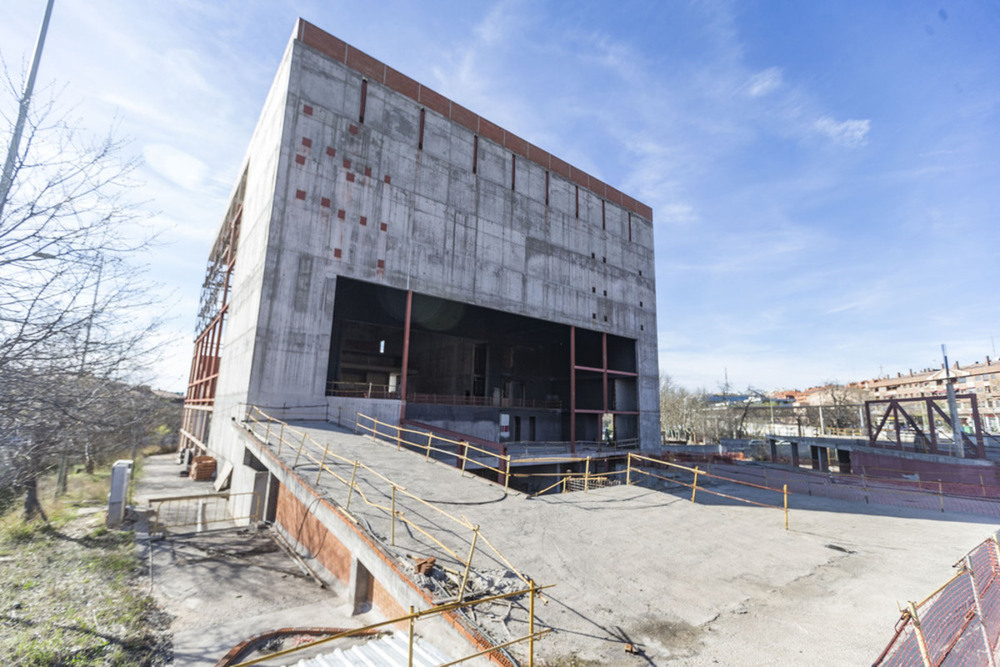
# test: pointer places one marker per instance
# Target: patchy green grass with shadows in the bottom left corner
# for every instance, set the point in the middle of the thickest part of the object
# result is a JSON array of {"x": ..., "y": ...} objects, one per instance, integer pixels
[{"x": 70, "y": 591}]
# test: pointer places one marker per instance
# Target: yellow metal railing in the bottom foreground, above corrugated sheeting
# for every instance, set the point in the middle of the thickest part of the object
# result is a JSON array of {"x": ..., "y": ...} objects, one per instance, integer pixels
[{"x": 411, "y": 619}]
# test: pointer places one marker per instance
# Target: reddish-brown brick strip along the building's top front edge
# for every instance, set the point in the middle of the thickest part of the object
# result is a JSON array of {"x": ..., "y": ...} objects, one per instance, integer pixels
[{"x": 379, "y": 72}]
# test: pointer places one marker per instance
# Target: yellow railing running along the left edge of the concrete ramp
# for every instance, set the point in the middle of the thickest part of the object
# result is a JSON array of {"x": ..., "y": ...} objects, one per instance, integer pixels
[{"x": 308, "y": 448}]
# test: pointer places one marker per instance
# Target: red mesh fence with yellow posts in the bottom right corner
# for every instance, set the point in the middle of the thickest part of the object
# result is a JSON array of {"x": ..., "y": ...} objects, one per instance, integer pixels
[{"x": 959, "y": 623}]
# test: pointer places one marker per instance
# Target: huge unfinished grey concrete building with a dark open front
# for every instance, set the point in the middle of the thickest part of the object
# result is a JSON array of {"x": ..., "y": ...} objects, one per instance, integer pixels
[{"x": 389, "y": 251}]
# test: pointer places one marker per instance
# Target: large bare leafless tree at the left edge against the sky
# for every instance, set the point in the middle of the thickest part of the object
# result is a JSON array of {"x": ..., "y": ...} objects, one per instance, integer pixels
[{"x": 74, "y": 311}]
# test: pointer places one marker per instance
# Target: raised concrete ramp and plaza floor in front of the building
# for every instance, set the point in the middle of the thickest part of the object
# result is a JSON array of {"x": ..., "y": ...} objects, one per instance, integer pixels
[{"x": 692, "y": 584}]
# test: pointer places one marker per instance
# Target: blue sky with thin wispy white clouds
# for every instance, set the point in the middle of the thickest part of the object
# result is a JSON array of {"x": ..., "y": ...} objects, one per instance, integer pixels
[{"x": 825, "y": 177}]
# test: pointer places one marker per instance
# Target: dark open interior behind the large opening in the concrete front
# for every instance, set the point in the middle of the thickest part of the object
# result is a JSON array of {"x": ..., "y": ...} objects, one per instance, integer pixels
[{"x": 469, "y": 363}]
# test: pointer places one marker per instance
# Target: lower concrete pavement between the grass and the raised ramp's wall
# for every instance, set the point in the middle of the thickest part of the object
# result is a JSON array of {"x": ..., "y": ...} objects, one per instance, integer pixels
[{"x": 224, "y": 586}]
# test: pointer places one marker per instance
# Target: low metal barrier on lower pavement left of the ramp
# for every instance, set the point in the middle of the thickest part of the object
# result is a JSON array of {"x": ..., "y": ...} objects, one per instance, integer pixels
[{"x": 202, "y": 511}]
